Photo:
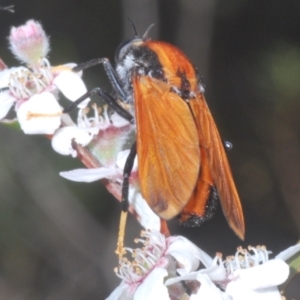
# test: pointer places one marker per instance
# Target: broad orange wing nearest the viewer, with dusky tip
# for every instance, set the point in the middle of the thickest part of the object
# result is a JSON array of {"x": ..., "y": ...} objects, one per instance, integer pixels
[{"x": 167, "y": 146}]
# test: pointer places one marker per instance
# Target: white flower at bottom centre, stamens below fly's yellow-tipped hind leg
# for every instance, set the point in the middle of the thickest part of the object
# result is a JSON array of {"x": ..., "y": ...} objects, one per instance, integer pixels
[{"x": 143, "y": 278}]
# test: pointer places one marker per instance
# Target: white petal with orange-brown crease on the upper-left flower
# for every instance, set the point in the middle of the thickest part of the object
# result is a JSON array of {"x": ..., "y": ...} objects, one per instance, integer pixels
[{"x": 41, "y": 114}]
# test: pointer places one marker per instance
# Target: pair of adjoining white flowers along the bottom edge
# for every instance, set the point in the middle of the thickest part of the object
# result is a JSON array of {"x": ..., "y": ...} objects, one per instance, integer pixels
[{"x": 163, "y": 267}]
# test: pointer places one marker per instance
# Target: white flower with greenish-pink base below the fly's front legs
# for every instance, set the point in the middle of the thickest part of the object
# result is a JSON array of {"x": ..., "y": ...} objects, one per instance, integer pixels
[{"x": 110, "y": 133}]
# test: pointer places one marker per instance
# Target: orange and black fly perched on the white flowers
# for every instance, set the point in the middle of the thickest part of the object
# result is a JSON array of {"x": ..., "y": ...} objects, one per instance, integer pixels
[{"x": 182, "y": 162}]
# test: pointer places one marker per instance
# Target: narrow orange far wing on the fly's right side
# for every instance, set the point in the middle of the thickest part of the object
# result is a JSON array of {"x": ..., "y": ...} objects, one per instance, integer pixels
[{"x": 211, "y": 142}]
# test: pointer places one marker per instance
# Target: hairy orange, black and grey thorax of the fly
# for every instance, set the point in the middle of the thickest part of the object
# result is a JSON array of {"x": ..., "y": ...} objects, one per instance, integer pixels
[{"x": 161, "y": 61}]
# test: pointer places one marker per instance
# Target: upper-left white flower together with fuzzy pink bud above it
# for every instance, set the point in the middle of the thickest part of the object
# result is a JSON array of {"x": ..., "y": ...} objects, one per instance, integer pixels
[{"x": 33, "y": 91}]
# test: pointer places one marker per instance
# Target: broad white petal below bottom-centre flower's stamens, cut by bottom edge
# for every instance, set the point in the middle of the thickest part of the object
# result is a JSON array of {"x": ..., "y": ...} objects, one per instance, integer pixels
[{"x": 153, "y": 286}]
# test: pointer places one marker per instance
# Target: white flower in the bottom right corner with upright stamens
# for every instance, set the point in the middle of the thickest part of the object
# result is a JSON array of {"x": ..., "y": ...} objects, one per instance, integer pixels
[{"x": 247, "y": 277}]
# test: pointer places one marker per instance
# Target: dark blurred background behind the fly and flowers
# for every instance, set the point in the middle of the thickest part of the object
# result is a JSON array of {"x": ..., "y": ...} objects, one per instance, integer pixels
[{"x": 57, "y": 238}]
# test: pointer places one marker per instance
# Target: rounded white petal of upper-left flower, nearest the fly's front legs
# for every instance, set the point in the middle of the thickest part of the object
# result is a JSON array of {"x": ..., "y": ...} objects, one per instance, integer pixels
[{"x": 72, "y": 86}]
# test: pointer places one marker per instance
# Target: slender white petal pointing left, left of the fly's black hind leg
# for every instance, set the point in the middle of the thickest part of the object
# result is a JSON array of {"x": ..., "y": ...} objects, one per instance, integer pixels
[{"x": 89, "y": 175}]
